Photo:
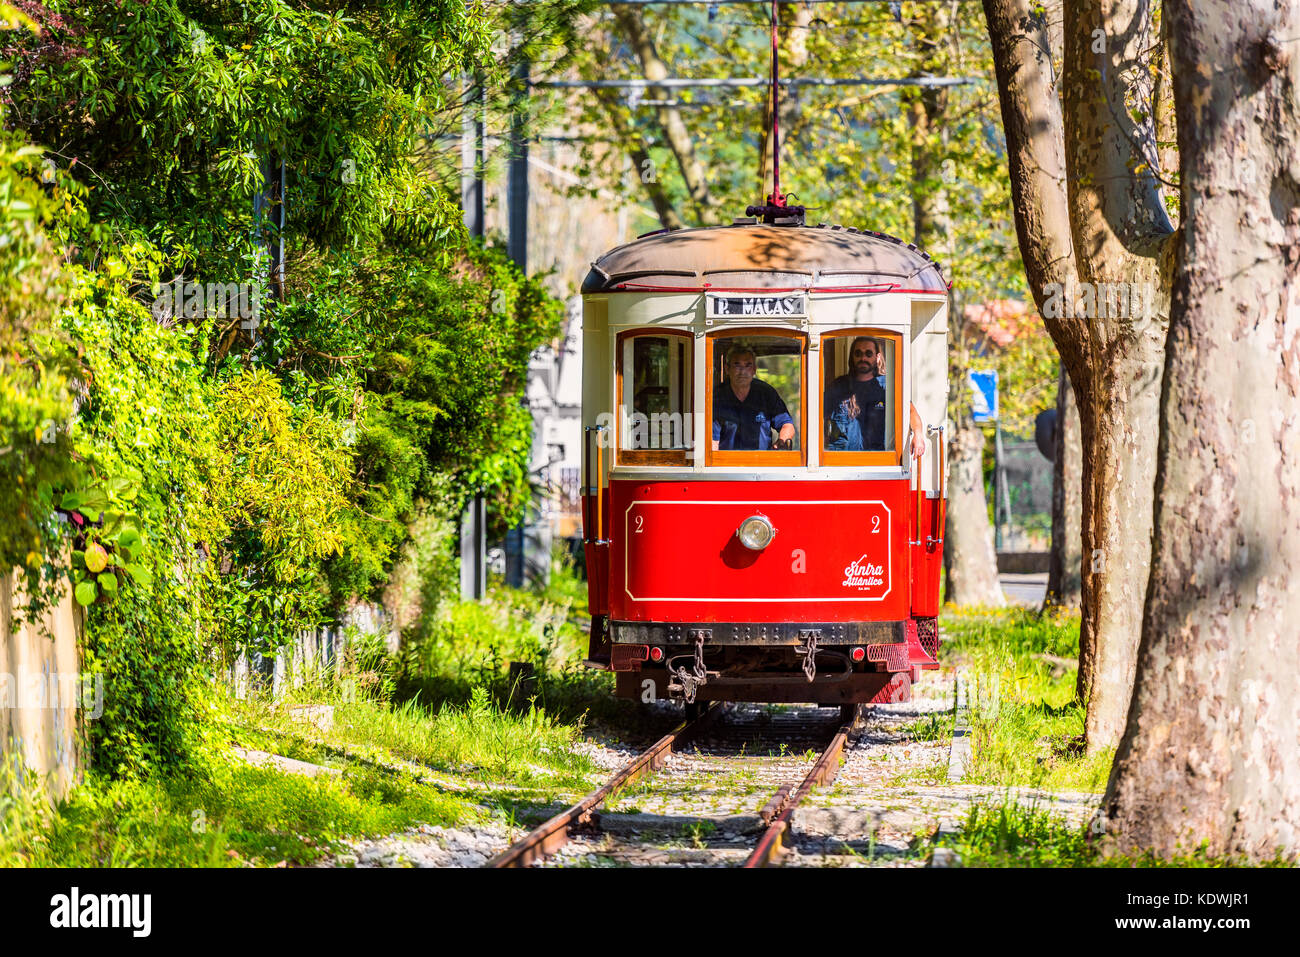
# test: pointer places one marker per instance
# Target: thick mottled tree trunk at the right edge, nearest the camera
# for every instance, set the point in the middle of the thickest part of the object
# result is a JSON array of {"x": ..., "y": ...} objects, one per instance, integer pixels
[{"x": 1212, "y": 747}]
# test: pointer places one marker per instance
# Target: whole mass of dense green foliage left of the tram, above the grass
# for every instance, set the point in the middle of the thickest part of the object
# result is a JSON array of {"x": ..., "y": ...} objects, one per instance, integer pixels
[{"x": 267, "y": 482}]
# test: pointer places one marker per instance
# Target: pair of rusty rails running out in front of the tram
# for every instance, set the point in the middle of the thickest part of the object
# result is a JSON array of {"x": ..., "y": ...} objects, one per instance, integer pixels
[{"x": 775, "y": 816}]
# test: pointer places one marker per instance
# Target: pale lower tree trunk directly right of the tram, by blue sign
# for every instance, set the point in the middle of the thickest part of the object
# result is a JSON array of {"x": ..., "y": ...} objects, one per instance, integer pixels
[{"x": 970, "y": 562}]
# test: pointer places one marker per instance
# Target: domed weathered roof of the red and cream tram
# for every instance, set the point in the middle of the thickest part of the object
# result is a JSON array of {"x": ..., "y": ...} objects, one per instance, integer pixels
[{"x": 759, "y": 257}]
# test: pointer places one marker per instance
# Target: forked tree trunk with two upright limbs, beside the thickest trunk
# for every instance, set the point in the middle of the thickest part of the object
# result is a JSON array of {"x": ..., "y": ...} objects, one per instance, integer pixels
[{"x": 1103, "y": 193}]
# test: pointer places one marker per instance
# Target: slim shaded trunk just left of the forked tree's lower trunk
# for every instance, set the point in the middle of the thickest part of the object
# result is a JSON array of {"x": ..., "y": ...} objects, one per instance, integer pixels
[{"x": 1065, "y": 579}]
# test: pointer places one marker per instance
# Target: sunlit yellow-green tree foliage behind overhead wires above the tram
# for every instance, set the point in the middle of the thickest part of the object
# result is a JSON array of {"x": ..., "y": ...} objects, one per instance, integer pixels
[{"x": 852, "y": 154}]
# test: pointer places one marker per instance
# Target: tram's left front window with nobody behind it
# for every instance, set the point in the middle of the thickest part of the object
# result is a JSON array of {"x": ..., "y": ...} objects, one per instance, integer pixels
[{"x": 657, "y": 393}]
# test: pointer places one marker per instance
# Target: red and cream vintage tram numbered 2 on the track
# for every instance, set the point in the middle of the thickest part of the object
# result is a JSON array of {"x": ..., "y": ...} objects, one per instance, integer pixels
[{"x": 743, "y": 548}]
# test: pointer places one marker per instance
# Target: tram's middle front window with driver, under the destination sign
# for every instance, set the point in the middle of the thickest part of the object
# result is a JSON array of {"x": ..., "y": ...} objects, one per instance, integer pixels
[{"x": 757, "y": 395}]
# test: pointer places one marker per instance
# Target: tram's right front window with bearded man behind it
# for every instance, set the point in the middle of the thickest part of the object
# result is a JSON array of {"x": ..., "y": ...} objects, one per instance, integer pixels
[{"x": 860, "y": 400}]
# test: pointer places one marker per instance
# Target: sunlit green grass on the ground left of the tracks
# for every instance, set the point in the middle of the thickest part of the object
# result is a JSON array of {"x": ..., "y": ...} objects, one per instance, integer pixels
[{"x": 453, "y": 718}]
